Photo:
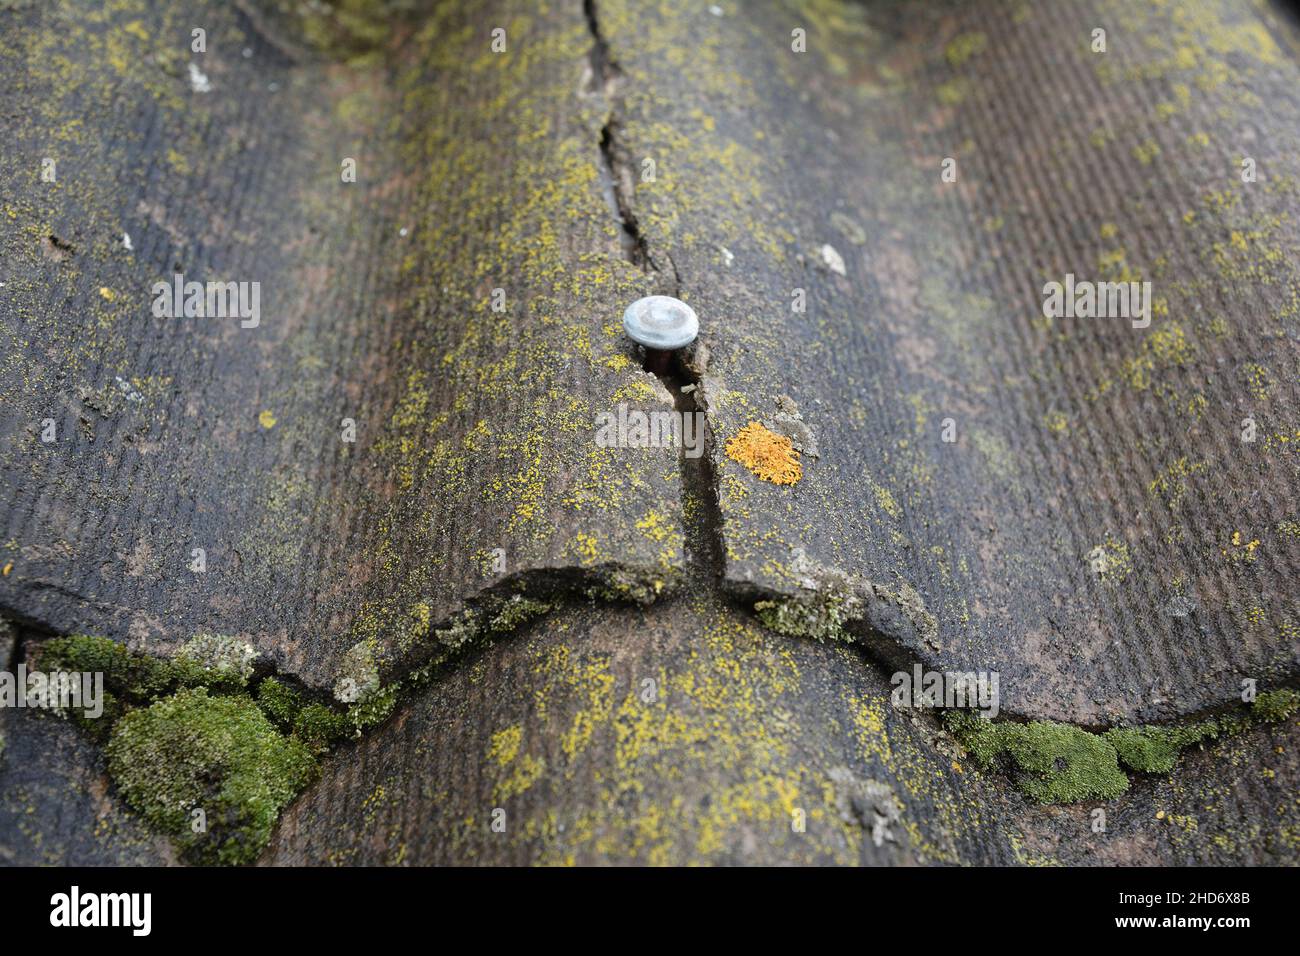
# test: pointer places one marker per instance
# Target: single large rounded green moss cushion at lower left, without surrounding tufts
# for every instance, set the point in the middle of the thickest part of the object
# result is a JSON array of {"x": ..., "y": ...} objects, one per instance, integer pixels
[{"x": 219, "y": 755}]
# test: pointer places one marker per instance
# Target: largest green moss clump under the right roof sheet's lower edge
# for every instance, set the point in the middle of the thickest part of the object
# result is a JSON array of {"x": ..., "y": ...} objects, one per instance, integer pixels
[{"x": 1054, "y": 763}]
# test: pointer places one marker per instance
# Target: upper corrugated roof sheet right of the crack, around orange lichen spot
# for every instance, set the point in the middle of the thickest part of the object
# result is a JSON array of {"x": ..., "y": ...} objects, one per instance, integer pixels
[{"x": 1099, "y": 531}]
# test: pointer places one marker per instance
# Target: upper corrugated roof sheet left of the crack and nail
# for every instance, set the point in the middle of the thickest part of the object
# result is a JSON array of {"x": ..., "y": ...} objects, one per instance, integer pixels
[{"x": 474, "y": 464}]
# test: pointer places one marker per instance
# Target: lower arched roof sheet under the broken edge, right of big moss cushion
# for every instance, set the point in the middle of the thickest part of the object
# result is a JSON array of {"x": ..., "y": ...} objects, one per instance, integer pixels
[{"x": 690, "y": 734}]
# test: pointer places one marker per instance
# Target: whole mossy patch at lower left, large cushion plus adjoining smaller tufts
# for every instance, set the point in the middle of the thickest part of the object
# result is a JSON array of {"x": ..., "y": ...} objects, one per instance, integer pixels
[{"x": 240, "y": 755}]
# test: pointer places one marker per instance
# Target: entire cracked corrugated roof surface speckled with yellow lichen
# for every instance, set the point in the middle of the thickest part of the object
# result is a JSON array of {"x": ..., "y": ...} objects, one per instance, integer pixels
[{"x": 1099, "y": 534}]
